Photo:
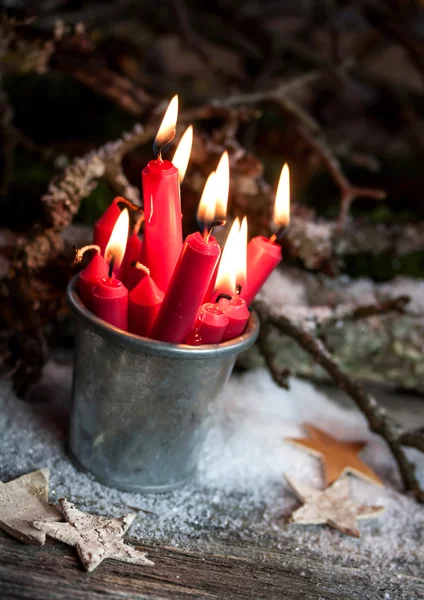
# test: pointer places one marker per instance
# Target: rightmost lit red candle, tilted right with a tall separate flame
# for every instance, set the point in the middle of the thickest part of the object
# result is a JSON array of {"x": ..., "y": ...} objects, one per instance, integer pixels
[{"x": 264, "y": 254}]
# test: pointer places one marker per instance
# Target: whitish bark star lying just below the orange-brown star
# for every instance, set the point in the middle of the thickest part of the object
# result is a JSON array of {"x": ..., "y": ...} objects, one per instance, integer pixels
[{"x": 333, "y": 507}]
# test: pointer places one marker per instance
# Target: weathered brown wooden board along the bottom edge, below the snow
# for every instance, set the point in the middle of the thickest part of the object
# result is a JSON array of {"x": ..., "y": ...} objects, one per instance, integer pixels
[{"x": 54, "y": 573}]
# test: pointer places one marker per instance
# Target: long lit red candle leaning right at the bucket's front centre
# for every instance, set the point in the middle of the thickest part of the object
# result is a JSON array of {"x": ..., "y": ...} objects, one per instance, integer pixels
[{"x": 193, "y": 272}]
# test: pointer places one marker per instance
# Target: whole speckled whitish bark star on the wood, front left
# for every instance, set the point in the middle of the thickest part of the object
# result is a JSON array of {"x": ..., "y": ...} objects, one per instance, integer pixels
[{"x": 95, "y": 538}]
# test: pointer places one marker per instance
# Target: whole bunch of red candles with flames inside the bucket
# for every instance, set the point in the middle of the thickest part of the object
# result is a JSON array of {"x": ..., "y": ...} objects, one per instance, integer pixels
[{"x": 167, "y": 288}]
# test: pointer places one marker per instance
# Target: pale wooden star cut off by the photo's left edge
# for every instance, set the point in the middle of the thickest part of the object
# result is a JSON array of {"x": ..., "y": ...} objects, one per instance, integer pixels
[{"x": 24, "y": 500}]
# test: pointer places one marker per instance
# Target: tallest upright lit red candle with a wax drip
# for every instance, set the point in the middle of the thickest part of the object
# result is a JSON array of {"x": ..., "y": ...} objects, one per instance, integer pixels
[{"x": 163, "y": 237}]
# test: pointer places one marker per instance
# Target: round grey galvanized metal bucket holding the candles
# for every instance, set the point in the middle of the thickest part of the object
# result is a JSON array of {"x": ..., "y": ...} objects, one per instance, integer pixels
[{"x": 142, "y": 408}]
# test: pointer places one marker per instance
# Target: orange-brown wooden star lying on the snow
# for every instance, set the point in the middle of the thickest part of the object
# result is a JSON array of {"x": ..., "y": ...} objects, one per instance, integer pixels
[{"x": 337, "y": 457}]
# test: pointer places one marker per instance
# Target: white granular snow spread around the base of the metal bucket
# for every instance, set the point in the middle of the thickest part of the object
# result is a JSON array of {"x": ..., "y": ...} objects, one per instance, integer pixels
[{"x": 239, "y": 495}]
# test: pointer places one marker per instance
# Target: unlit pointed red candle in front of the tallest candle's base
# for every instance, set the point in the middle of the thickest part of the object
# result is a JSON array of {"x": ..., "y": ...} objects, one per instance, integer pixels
[{"x": 144, "y": 302}]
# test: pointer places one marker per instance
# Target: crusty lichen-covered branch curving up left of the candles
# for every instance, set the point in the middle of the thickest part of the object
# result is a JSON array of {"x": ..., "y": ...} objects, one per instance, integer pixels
[{"x": 61, "y": 202}]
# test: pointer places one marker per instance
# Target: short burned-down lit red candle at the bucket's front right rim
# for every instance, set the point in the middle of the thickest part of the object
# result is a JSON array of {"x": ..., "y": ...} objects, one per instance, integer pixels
[{"x": 231, "y": 276}]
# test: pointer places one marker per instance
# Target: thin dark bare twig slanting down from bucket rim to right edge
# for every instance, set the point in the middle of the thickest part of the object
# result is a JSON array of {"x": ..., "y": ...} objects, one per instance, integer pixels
[{"x": 377, "y": 418}]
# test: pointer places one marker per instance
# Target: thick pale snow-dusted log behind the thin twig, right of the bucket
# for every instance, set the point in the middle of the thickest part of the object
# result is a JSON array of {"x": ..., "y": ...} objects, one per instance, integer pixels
[{"x": 383, "y": 348}]
